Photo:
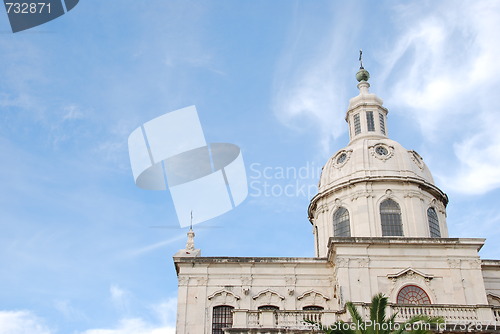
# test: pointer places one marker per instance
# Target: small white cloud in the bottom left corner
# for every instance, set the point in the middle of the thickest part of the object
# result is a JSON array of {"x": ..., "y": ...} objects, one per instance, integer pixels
[{"x": 22, "y": 322}]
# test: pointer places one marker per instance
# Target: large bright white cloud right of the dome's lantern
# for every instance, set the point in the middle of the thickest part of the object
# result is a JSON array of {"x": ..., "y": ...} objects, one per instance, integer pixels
[{"x": 443, "y": 72}]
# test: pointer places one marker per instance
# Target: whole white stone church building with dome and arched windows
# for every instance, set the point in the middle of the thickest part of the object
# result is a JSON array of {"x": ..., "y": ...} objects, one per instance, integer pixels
[{"x": 379, "y": 225}]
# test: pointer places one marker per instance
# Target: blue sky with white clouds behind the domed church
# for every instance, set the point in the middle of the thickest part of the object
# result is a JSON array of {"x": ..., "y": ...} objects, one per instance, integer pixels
[{"x": 77, "y": 251}]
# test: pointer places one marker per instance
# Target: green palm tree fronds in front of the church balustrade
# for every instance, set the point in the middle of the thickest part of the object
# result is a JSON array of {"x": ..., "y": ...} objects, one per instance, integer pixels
[{"x": 379, "y": 323}]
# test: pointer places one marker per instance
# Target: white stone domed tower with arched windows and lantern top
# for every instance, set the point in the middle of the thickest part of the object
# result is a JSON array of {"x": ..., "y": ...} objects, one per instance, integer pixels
[{"x": 374, "y": 187}]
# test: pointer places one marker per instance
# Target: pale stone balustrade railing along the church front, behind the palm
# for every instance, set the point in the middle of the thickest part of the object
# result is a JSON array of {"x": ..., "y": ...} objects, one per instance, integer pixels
[{"x": 296, "y": 319}]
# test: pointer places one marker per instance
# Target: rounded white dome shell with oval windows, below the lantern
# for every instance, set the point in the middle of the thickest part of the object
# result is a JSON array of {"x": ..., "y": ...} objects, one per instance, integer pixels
[{"x": 373, "y": 158}]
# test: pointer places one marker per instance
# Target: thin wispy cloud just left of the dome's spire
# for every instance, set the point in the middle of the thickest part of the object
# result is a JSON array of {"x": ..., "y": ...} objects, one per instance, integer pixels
[{"x": 308, "y": 91}]
